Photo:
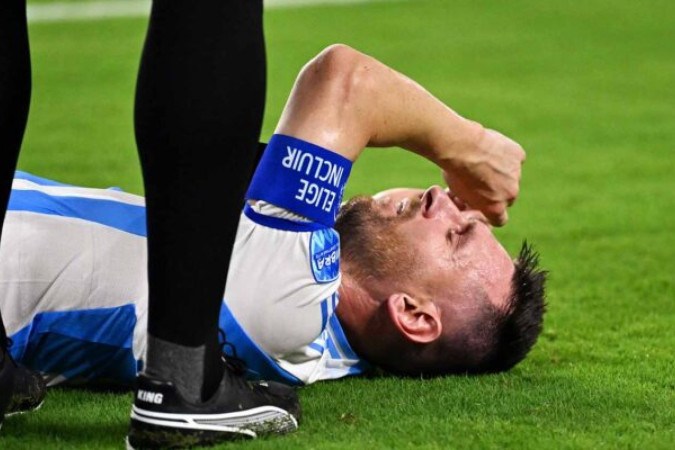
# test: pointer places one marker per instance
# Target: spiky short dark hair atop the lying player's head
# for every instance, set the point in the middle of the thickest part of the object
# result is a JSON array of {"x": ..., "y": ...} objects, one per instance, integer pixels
[{"x": 515, "y": 330}]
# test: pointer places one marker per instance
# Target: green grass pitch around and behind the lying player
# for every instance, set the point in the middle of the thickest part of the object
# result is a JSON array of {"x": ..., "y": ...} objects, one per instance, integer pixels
[{"x": 586, "y": 87}]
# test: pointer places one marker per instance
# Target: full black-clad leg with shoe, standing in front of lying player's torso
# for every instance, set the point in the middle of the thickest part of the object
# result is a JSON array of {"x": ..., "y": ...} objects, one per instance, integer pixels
[{"x": 199, "y": 108}]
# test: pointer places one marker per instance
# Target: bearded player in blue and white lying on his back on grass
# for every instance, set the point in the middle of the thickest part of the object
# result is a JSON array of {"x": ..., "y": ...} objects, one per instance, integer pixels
[{"x": 415, "y": 282}]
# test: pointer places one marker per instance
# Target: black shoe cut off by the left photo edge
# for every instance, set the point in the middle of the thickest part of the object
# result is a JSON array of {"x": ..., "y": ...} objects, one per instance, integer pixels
[{"x": 21, "y": 389}]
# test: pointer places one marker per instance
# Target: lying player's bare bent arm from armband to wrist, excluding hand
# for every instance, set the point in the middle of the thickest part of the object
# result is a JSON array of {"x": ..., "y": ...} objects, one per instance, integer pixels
[{"x": 345, "y": 101}]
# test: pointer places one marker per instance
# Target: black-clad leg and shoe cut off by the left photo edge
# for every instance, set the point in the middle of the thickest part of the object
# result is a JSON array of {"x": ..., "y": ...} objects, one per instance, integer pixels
[{"x": 20, "y": 389}]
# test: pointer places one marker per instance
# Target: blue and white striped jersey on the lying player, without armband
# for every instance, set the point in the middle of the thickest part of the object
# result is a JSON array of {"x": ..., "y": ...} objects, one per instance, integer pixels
[{"x": 73, "y": 288}]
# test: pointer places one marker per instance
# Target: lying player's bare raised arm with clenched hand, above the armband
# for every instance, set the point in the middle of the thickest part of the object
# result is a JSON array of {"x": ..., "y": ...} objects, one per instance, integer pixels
[{"x": 345, "y": 101}]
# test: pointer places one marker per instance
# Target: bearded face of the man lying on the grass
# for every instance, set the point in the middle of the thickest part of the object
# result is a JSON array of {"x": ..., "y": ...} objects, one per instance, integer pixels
[{"x": 426, "y": 242}]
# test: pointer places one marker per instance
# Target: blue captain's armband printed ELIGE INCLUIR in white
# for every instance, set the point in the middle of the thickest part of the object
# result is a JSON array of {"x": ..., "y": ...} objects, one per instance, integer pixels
[{"x": 302, "y": 178}]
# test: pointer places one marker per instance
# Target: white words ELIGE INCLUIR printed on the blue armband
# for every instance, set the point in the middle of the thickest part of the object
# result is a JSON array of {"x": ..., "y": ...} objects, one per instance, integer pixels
[{"x": 319, "y": 169}]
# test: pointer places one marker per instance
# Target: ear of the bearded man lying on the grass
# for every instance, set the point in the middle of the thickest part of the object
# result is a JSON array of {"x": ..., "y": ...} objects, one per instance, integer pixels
[{"x": 418, "y": 320}]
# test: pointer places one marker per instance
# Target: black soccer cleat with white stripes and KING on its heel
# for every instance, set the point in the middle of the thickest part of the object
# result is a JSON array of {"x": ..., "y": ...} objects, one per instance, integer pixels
[{"x": 240, "y": 409}]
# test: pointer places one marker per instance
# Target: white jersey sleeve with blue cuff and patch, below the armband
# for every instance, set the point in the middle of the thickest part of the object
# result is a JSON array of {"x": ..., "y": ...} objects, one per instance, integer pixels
[{"x": 283, "y": 280}]
